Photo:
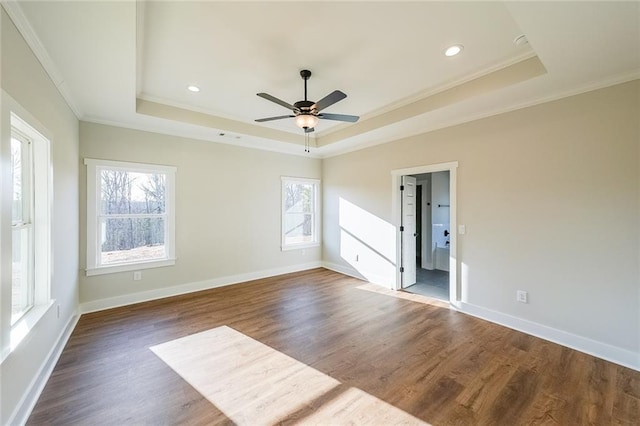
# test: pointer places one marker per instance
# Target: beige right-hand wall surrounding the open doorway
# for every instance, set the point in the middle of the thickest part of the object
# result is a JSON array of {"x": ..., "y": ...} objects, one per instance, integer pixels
[{"x": 550, "y": 198}]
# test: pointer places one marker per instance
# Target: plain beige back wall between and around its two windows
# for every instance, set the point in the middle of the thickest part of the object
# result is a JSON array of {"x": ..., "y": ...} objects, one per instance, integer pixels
[{"x": 227, "y": 212}]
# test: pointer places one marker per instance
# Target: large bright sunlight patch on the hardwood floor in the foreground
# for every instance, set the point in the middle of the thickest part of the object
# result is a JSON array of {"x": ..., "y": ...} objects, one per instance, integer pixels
[{"x": 252, "y": 383}]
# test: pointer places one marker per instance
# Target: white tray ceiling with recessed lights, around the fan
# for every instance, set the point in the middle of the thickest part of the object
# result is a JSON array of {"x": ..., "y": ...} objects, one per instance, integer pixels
[{"x": 128, "y": 63}]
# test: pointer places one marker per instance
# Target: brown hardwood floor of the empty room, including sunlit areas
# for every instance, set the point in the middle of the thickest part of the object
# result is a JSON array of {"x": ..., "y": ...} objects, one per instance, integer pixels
[{"x": 319, "y": 347}]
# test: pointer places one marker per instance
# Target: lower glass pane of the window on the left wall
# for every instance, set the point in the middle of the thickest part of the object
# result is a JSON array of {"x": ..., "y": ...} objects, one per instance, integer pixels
[{"x": 21, "y": 271}]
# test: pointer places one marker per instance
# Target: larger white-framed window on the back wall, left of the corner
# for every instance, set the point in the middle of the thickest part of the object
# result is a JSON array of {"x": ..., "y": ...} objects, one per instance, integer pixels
[{"x": 130, "y": 216}]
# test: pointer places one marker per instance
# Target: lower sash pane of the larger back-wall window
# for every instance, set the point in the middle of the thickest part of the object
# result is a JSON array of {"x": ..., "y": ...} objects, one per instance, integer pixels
[{"x": 132, "y": 240}]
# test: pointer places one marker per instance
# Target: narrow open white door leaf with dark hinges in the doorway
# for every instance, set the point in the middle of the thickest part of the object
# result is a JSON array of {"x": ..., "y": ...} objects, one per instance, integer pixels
[{"x": 408, "y": 231}]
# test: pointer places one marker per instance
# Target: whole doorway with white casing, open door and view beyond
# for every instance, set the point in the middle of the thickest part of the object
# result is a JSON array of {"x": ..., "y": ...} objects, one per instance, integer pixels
[{"x": 427, "y": 260}]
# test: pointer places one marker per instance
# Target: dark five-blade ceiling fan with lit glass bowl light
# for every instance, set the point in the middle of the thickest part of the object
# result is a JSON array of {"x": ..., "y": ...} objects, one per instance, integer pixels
[{"x": 307, "y": 112}]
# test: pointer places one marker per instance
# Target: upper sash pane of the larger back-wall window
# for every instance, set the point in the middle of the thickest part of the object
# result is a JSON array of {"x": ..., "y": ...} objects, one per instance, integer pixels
[{"x": 125, "y": 192}]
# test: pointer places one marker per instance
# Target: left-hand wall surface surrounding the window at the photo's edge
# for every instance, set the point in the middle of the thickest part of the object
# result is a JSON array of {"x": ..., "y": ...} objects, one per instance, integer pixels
[{"x": 27, "y": 84}]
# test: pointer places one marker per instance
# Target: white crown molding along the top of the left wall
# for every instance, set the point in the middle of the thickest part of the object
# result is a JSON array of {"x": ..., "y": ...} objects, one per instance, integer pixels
[{"x": 33, "y": 41}]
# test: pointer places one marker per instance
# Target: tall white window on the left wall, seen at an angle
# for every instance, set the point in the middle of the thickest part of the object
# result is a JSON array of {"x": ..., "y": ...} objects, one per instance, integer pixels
[{"x": 30, "y": 213}]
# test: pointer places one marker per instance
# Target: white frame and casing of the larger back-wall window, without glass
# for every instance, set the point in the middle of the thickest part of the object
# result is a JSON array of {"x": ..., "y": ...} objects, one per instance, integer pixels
[{"x": 94, "y": 179}]
